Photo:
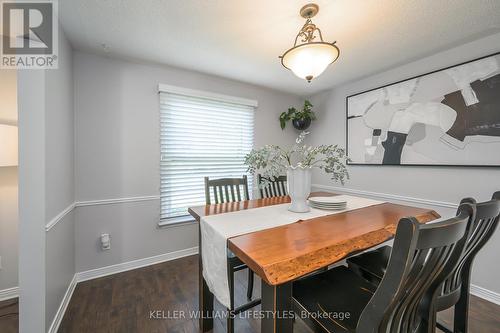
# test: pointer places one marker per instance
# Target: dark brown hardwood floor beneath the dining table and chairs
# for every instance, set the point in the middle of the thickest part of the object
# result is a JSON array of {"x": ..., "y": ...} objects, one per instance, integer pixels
[{"x": 122, "y": 303}]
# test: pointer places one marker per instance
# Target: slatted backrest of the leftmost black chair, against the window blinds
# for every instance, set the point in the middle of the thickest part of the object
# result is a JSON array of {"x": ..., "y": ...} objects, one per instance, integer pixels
[{"x": 226, "y": 190}]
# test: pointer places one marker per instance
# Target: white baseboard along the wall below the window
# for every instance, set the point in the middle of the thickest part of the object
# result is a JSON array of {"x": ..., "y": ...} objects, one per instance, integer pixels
[{"x": 126, "y": 266}]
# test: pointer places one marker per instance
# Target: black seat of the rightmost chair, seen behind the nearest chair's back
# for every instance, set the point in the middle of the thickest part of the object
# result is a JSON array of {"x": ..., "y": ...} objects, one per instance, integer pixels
[{"x": 371, "y": 265}]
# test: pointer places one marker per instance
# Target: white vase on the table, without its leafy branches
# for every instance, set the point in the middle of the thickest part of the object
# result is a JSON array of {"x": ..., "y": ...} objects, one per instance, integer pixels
[{"x": 299, "y": 188}]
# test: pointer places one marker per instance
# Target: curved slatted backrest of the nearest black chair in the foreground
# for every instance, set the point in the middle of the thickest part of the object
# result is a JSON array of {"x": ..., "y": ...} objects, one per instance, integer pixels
[{"x": 422, "y": 258}]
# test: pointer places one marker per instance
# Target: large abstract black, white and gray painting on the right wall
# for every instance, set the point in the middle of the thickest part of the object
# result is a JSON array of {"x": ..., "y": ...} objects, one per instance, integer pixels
[{"x": 447, "y": 117}]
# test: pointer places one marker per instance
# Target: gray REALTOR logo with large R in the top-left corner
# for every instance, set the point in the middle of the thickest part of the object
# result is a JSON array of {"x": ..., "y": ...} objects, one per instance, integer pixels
[{"x": 29, "y": 34}]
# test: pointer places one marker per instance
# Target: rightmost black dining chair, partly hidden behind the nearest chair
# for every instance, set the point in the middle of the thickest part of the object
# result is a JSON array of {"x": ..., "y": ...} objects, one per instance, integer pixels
[{"x": 456, "y": 288}]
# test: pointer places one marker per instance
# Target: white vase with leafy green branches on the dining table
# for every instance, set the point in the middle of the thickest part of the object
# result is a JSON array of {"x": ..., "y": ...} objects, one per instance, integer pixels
[{"x": 272, "y": 161}]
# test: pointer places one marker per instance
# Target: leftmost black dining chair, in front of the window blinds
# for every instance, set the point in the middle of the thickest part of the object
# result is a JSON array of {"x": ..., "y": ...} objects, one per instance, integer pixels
[{"x": 225, "y": 190}]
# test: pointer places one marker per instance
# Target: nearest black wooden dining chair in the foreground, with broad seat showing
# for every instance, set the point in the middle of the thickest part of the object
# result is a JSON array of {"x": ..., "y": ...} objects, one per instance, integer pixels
[{"x": 423, "y": 256}]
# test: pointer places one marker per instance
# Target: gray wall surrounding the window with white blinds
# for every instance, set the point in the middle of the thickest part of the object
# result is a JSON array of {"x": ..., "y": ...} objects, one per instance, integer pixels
[{"x": 117, "y": 153}]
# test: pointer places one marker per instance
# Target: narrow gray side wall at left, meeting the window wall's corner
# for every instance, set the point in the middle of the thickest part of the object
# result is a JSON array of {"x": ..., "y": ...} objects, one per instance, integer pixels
[{"x": 60, "y": 176}]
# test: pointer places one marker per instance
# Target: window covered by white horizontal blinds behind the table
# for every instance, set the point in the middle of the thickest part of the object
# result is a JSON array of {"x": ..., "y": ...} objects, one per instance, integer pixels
[{"x": 201, "y": 135}]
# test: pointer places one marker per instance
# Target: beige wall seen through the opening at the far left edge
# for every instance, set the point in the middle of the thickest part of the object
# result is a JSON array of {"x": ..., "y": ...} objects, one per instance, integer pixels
[{"x": 8, "y": 187}]
